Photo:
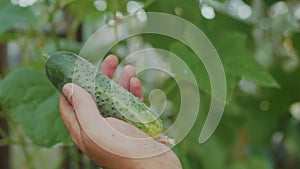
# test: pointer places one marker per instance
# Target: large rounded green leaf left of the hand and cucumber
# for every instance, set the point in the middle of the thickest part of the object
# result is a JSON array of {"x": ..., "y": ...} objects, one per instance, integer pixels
[{"x": 33, "y": 103}]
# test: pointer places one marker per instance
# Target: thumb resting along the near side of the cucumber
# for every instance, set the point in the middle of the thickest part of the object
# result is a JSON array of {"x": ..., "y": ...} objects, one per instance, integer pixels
[{"x": 93, "y": 126}]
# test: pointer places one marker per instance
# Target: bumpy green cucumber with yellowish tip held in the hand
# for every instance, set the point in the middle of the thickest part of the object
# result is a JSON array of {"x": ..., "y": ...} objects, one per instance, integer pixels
[{"x": 65, "y": 67}]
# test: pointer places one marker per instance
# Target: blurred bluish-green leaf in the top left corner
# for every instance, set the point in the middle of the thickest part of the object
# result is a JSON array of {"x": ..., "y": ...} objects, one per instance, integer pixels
[{"x": 14, "y": 16}]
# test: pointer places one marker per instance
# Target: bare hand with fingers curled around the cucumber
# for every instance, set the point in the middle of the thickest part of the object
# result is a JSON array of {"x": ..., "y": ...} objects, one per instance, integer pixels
[{"x": 103, "y": 134}]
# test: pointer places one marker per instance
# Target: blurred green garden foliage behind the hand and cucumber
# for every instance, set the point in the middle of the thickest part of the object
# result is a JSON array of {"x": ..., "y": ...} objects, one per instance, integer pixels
[{"x": 258, "y": 42}]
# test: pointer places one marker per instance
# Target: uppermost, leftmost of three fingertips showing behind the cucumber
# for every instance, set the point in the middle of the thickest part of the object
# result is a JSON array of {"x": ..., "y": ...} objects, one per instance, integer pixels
[{"x": 109, "y": 66}]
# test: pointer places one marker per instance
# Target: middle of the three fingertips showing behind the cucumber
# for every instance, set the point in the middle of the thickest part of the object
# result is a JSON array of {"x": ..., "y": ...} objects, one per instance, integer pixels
[{"x": 127, "y": 73}]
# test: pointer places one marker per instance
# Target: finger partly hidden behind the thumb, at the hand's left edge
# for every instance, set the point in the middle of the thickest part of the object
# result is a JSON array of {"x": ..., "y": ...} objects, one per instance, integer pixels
[{"x": 71, "y": 123}]
